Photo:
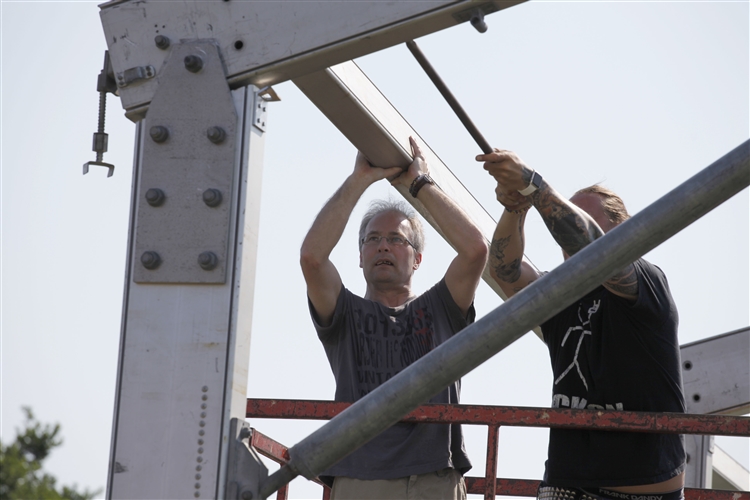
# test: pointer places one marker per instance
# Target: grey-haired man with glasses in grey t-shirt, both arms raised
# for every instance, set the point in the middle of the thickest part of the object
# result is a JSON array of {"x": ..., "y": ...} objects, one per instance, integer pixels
[{"x": 369, "y": 340}]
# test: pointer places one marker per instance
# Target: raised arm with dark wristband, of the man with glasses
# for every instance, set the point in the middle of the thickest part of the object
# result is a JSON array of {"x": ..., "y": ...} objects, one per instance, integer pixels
[{"x": 465, "y": 271}]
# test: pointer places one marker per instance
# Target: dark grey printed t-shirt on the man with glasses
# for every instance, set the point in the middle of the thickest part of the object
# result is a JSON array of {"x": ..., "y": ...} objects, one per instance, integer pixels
[{"x": 367, "y": 343}]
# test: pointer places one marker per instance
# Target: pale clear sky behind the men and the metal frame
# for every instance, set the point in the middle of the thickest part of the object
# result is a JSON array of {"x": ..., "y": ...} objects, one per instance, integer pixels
[{"x": 637, "y": 95}]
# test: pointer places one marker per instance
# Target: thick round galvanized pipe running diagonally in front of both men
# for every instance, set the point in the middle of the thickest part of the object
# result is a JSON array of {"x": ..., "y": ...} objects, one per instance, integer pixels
[{"x": 538, "y": 302}]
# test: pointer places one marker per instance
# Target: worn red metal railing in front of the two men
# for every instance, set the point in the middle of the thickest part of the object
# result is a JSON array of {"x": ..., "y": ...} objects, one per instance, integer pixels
[{"x": 496, "y": 416}]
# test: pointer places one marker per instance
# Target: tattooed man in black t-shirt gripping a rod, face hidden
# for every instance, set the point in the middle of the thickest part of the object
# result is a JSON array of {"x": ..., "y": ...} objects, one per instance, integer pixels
[{"x": 616, "y": 348}]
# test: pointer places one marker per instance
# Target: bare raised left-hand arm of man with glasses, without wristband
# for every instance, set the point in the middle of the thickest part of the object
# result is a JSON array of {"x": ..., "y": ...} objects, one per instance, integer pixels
[{"x": 322, "y": 277}]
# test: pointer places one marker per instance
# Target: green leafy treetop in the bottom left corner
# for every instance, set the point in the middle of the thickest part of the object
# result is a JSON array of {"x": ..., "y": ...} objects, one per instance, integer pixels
[{"x": 21, "y": 474}]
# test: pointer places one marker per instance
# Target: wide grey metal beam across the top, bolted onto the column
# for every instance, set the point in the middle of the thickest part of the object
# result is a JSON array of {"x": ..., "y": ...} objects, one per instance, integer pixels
[{"x": 263, "y": 43}]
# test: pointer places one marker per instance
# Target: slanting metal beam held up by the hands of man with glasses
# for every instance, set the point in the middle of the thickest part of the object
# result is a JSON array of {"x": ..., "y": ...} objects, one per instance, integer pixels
[{"x": 347, "y": 97}]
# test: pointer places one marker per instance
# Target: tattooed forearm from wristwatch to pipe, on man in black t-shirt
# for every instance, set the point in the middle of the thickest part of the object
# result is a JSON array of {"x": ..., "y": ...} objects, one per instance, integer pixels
[{"x": 571, "y": 230}]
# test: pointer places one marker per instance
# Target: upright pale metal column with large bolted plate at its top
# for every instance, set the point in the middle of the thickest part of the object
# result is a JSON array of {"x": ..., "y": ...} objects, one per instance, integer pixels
[{"x": 184, "y": 350}]
